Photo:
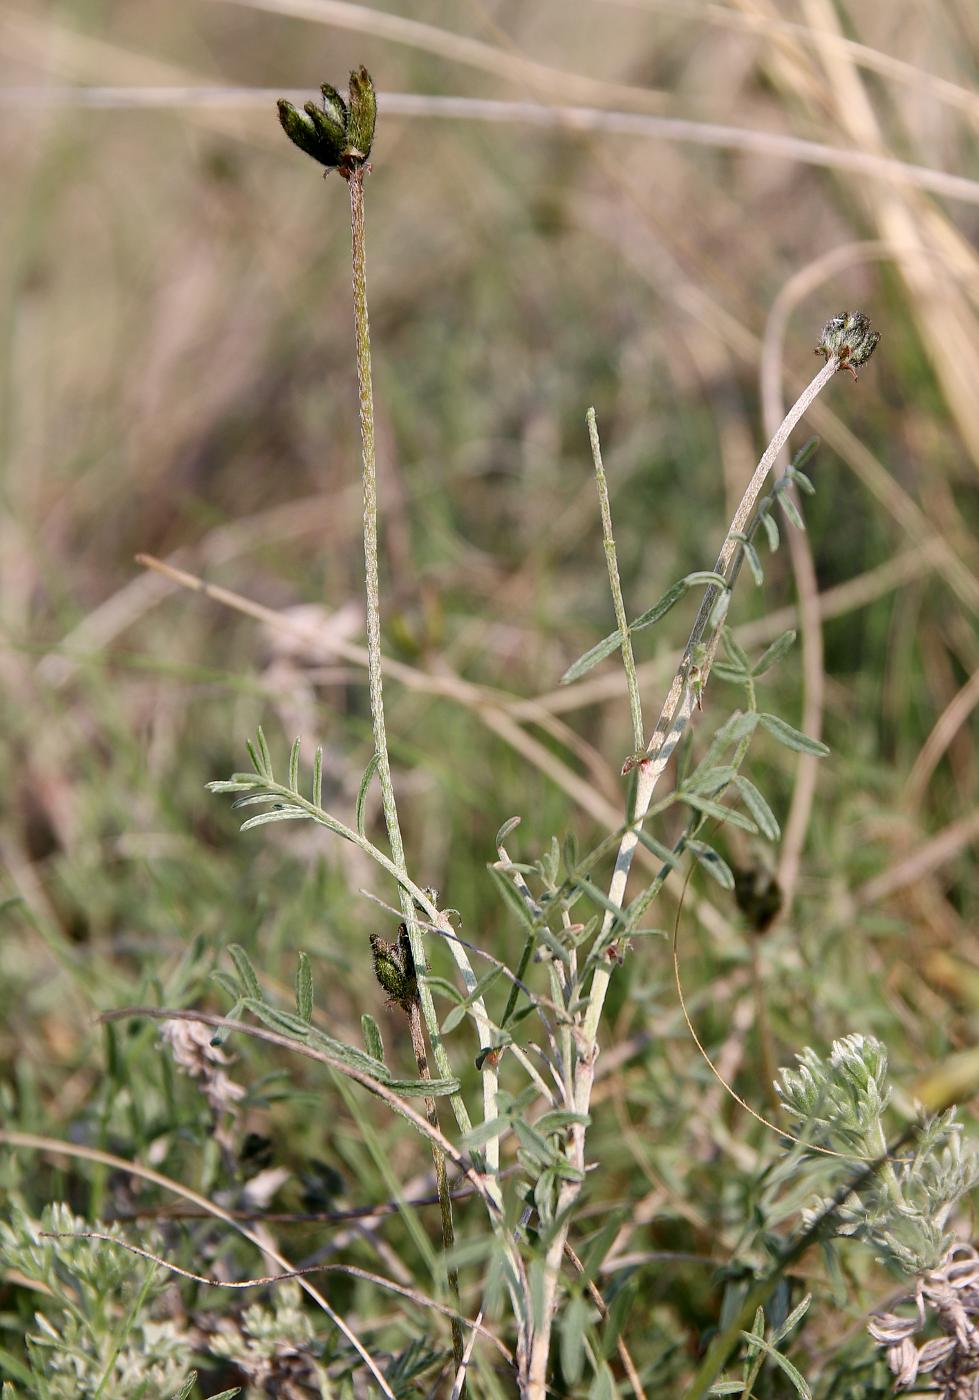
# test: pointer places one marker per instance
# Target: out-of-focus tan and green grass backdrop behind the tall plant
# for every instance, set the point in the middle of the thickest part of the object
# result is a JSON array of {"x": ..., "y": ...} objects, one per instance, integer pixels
[{"x": 177, "y": 379}]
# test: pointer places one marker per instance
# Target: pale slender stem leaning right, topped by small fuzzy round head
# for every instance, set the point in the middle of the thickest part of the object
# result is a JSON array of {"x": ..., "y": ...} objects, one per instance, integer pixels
[{"x": 673, "y": 722}]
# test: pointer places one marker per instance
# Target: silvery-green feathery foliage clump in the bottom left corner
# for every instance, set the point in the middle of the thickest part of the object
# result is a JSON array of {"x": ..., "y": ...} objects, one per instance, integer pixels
[{"x": 88, "y": 1338}]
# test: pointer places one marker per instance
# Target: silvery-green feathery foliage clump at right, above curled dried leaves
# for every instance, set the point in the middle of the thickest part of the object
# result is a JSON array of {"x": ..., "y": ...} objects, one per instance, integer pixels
[{"x": 901, "y": 1209}]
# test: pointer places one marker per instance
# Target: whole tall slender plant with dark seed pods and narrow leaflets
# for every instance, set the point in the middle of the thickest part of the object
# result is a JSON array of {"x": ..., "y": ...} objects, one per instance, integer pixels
[{"x": 575, "y": 933}]
